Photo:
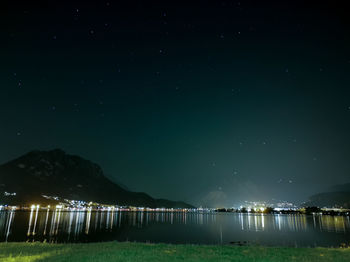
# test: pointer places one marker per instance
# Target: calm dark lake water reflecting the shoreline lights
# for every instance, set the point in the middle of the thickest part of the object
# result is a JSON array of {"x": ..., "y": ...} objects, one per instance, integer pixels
[{"x": 210, "y": 228}]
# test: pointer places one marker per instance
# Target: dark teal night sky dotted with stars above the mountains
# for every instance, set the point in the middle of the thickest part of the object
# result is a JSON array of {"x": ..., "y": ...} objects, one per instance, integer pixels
[{"x": 211, "y": 102}]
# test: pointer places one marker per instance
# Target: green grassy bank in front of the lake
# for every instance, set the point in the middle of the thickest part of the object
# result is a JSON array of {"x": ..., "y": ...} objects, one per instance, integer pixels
[{"x": 119, "y": 251}]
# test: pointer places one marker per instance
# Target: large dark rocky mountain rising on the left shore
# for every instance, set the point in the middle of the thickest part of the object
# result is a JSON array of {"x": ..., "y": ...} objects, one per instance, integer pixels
[{"x": 55, "y": 173}]
